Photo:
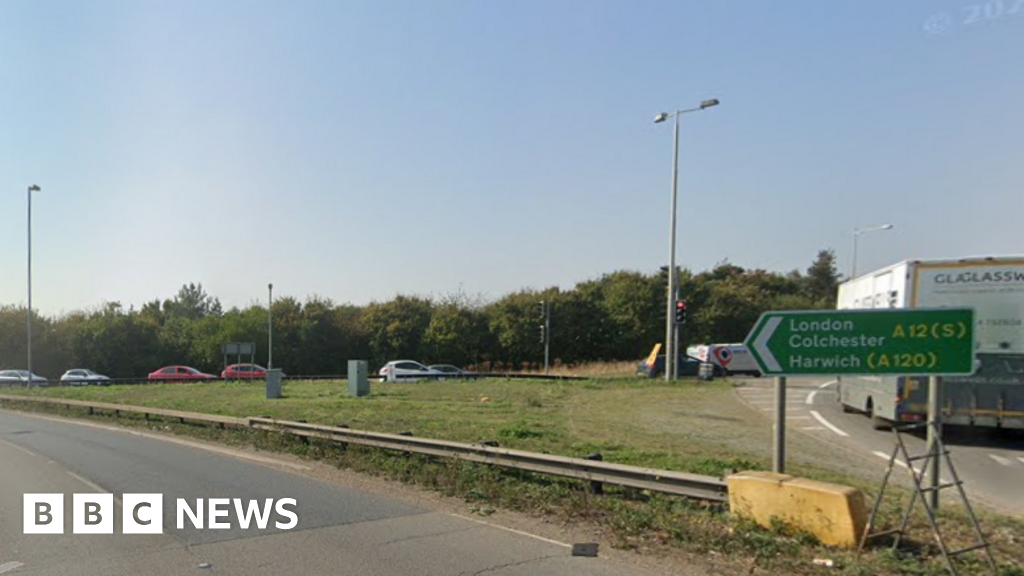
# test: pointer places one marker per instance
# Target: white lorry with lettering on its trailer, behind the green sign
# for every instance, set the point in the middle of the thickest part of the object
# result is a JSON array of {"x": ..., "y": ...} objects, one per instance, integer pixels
[{"x": 995, "y": 289}]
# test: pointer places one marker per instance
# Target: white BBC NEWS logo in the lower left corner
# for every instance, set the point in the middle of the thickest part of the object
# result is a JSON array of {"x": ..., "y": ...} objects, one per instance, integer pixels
[{"x": 143, "y": 514}]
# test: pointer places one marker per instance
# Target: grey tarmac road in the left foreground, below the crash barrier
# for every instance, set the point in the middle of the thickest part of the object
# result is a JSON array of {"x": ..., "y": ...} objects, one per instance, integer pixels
[{"x": 340, "y": 530}]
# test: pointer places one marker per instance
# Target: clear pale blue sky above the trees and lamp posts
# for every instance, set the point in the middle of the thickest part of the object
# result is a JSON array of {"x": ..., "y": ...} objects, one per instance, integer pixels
[{"x": 361, "y": 150}]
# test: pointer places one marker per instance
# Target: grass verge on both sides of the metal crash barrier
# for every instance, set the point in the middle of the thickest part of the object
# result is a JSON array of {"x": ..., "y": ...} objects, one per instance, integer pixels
[{"x": 679, "y": 427}]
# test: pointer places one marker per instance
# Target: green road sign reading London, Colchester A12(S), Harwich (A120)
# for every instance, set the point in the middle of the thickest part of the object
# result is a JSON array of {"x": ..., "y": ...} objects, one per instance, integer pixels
[{"x": 921, "y": 342}]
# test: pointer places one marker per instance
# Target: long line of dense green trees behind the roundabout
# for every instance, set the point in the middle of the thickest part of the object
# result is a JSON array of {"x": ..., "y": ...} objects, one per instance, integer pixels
[{"x": 619, "y": 316}]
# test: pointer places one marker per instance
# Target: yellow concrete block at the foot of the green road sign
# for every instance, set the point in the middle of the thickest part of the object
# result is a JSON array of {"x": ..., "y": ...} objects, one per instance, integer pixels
[{"x": 835, "y": 514}]
